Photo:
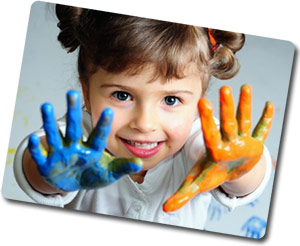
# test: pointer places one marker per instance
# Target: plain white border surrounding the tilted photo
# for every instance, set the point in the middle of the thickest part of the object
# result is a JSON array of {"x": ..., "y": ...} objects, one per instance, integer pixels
[{"x": 28, "y": 224}]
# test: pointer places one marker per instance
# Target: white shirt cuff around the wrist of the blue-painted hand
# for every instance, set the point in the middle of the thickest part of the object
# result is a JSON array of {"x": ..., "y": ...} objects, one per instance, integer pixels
[{"x": 50, "y": 200}]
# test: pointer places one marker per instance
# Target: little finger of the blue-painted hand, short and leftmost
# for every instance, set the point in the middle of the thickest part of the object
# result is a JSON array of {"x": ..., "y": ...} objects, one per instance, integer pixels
[{"x": 35, "y": 149}]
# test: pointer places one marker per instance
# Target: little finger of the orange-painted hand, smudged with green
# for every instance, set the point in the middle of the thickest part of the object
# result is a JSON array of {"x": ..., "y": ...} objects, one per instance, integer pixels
[{"x": 263, "y": 127}]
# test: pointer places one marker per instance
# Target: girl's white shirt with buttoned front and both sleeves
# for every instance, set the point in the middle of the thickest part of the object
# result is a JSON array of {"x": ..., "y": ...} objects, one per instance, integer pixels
[{"x": 126, "y": 198}]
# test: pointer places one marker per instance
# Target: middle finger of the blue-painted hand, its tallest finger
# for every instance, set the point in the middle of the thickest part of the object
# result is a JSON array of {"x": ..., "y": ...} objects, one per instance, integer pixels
[{"x": 74, "y": 116}]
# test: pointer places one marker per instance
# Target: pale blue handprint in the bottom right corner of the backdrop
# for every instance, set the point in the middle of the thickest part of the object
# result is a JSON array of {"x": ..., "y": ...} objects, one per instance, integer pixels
[{"x": 254, "y": 227}]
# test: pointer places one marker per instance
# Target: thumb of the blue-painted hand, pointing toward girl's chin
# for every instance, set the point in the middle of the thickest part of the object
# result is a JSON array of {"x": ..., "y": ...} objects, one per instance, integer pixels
[{"x": 123, "y": 166}]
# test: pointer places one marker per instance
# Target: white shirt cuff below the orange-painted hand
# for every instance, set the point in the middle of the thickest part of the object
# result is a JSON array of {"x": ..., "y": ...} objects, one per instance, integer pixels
[{"x": 231, "y": 202}]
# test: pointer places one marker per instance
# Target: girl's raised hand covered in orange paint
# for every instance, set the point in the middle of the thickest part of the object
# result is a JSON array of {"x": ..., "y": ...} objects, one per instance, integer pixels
[{"x": 231, "y": 151}]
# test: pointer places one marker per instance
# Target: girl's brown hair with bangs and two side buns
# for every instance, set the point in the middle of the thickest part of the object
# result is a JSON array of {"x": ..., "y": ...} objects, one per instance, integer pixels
[{"x": 120, "y": 43}]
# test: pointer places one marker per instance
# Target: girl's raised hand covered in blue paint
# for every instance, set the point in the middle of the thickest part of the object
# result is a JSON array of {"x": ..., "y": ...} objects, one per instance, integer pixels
[{"x": 70, "y": 163}]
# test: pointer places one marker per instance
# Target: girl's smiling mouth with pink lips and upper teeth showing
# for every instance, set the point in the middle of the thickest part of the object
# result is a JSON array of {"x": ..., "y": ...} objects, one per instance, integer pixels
[{"x": 142, "y": 149}]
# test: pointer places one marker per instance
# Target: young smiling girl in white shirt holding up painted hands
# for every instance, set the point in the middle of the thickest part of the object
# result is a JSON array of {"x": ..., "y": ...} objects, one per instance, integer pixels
[{"x": 140, "y": 136}]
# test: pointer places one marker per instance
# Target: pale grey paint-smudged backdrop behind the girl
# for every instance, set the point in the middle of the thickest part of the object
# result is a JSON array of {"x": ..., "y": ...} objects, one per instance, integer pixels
[{"x": 48, "y": 72}]
